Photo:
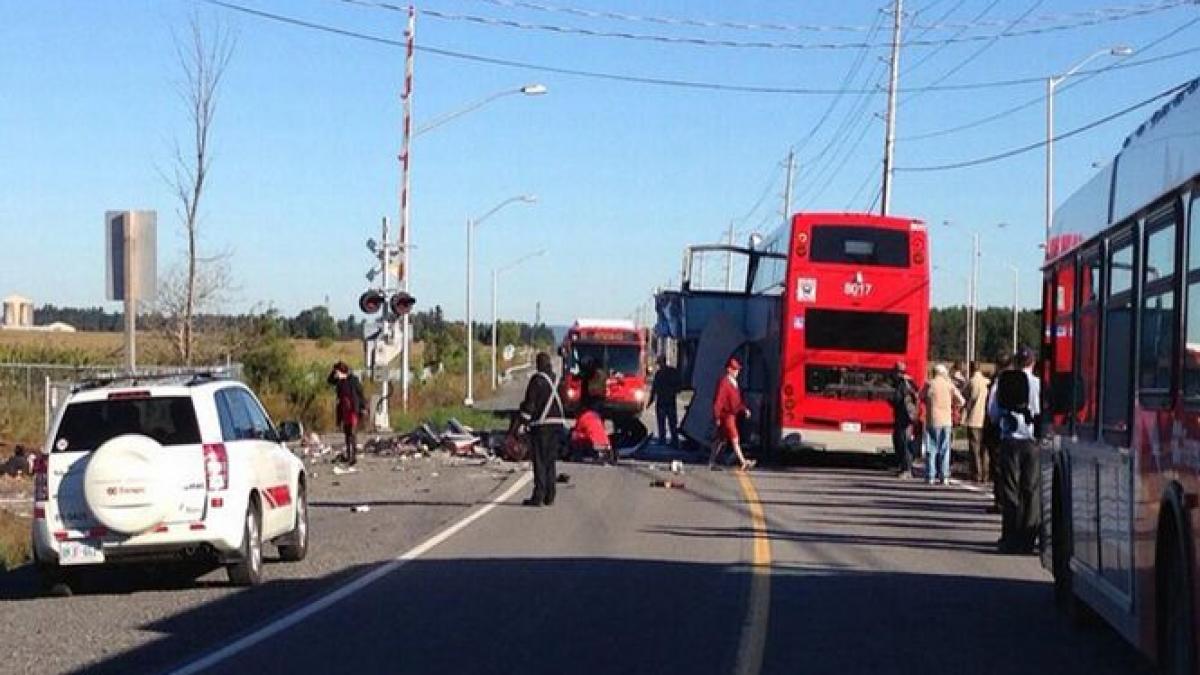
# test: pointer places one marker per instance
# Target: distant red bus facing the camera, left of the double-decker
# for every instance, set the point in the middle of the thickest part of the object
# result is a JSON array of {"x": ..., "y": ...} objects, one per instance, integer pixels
[{"x": 616, "y": 347}]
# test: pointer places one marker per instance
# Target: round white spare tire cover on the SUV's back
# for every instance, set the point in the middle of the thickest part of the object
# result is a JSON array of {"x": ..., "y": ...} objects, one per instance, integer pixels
[{"x": 128, "y": 485}]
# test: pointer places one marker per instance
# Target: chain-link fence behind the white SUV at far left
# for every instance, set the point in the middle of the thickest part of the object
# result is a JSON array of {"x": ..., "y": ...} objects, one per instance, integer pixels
[{"x": 31, "y": 389}]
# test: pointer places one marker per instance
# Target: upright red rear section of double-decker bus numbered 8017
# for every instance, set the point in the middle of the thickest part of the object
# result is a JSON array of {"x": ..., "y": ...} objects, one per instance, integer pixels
[{"x": 855, "y": 302}]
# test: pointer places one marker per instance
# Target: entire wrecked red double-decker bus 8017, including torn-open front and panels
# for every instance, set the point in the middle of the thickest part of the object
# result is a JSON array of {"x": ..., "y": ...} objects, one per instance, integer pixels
[{"x": 829, "y": 304}]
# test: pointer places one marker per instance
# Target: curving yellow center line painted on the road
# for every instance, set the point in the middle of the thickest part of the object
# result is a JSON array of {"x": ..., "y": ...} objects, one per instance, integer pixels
[{"x": 753, "y": 643}]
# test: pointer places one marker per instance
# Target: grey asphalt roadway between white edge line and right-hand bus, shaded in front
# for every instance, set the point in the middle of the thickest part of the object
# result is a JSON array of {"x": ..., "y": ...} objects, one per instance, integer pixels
[{"x": 867, "y": 575}]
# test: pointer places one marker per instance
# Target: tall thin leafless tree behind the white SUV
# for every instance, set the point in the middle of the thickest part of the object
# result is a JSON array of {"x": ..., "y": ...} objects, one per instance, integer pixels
[{"x": 203, "y": 57}]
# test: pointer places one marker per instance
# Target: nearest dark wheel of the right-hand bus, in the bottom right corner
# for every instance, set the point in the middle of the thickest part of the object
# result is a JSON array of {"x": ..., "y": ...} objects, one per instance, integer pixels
[{"x": 1177, "y": 622}]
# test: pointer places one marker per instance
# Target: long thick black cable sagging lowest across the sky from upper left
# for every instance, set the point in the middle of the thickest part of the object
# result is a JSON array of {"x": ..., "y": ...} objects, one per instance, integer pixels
[{"x": 625, "y": 77}]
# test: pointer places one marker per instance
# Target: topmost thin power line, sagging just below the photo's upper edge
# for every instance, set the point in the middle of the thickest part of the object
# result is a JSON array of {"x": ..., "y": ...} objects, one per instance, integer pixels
[{"x": 1102, "y": 14}]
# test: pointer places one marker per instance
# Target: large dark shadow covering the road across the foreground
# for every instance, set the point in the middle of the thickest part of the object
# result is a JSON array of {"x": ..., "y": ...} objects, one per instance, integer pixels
[{"x": 613, "y": 616}]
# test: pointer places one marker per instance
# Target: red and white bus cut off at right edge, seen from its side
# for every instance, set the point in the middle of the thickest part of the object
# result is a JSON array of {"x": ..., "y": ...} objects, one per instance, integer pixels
[{"x": 1121, "y": 373}]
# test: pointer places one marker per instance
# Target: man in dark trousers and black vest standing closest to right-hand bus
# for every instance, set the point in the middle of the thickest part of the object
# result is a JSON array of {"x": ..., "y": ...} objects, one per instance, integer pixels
[{"x": 1016, "y": 409}]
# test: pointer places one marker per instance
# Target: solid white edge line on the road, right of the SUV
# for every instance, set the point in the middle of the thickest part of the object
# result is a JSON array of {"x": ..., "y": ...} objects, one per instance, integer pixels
[{"x": 346, "y": 592}]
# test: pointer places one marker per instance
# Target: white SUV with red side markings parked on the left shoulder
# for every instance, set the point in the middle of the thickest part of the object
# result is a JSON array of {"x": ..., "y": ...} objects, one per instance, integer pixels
[{"x": 158, "y": 469}]
